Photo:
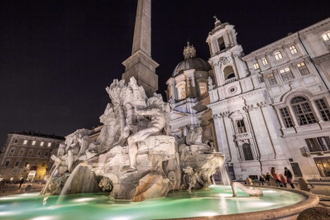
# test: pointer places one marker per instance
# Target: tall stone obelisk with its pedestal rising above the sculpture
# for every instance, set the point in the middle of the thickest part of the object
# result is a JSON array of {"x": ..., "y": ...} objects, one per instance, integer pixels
[{"x": 140, "y": 64}]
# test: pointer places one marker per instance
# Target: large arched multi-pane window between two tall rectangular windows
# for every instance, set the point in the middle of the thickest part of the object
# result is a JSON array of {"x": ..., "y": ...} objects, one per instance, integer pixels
[{"x": 303, "y": 111}]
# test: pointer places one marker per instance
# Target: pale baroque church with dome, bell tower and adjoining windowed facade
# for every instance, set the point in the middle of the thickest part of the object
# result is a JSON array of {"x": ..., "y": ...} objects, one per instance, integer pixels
[{"x": 269, "y": 108}]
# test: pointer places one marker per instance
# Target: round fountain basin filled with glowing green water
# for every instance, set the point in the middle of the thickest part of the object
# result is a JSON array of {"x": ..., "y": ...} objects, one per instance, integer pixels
[{"x": 217, "y": 202}]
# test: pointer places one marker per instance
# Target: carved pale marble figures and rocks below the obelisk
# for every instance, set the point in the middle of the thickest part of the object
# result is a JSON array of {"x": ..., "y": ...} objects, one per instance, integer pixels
[{"x": 134, "y": 156}]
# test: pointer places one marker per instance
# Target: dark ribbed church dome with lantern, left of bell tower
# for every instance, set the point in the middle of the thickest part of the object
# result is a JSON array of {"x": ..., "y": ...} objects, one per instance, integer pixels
[{"x": 191, "y": 61}]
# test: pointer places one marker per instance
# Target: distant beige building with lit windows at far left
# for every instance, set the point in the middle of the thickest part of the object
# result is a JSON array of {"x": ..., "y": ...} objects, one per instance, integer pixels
[{"x": 27, "y": 154}]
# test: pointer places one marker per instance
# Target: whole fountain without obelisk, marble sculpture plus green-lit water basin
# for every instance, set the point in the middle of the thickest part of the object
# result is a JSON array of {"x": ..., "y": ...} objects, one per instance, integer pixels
[{"x": 136, "y": 170}]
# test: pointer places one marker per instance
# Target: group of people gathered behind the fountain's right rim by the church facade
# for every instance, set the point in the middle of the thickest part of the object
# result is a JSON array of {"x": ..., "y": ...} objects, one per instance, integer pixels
[{"x": 281, "y": 179}]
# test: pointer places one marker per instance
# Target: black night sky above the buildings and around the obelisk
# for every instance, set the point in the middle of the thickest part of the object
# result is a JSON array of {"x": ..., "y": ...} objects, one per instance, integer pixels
[{"x": 57, "y": 57}]
